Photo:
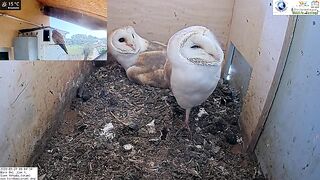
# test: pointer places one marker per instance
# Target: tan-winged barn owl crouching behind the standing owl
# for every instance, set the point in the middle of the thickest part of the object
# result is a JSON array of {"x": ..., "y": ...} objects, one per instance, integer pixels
[{"x": 145, "y": 68}]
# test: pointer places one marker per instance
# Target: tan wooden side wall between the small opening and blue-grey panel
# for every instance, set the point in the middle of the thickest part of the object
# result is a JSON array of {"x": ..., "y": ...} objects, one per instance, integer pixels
[{"x": 263, "y": 40}]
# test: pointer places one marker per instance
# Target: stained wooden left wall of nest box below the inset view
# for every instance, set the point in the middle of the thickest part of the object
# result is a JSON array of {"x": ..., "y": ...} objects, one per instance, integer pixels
[{"x": 33, "y": 97}]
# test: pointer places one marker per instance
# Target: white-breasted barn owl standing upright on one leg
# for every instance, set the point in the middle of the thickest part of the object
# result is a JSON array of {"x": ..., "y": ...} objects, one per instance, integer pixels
[{"x": 195, "y": 57}]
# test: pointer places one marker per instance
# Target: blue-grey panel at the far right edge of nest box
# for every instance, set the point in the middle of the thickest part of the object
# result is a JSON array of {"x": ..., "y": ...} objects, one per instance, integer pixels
[{"x": 289, "y": 145}]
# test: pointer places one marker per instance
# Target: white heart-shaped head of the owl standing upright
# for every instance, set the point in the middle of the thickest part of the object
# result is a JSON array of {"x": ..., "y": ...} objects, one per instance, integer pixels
[{"x": 196, "y": 45}]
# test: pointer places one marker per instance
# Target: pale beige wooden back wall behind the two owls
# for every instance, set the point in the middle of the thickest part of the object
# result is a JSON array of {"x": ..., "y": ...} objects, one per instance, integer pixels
[{"x": 159, "y": 20}]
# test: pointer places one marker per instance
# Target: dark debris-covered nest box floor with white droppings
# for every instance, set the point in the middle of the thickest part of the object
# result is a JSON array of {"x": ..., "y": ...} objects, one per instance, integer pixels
[{"x": 115, "y": 129}]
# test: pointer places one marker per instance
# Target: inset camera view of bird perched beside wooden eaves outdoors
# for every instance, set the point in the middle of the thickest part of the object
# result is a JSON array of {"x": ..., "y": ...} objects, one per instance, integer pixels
[{"x": 54, "y": 30}]
